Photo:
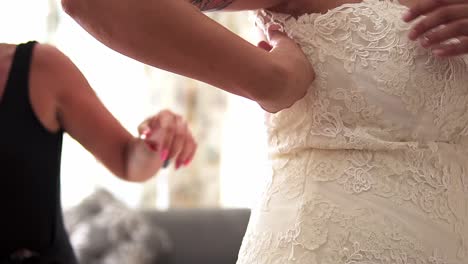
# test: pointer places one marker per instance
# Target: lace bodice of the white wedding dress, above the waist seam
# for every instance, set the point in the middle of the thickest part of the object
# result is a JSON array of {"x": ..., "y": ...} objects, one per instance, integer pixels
[{"x": 374, "y": 88}]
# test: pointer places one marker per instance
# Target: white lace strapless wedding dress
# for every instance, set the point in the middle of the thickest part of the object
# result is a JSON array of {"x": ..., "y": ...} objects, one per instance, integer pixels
[{"x": 372, "y": 165}]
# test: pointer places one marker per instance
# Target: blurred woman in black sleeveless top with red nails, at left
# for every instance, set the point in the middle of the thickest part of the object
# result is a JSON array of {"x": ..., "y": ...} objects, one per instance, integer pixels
[{"x": 43, "y": 95}]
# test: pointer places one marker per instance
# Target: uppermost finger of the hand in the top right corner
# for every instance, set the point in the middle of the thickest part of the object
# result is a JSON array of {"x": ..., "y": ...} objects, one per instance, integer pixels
[{"x": 438, "y": 19}]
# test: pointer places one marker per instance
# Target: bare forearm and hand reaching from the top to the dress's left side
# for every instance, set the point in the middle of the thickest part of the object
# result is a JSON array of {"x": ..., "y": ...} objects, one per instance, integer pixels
[{"x": 174, "y": 36}]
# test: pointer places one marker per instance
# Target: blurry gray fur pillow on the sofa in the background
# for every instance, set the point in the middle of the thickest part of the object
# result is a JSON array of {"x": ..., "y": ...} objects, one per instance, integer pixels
[{"x": 104, "y": 231}]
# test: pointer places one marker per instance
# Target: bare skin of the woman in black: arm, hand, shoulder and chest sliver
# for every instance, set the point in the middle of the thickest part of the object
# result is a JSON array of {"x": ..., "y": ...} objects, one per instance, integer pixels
[{"x": 61, "y": 98}]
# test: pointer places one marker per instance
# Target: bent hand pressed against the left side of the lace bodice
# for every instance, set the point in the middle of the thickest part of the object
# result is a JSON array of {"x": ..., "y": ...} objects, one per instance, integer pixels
[{"x": 297, "y": 72}]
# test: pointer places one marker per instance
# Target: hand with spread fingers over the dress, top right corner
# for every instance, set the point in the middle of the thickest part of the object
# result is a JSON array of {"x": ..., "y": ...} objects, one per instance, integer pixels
[{"x": 444, "y": 29}]
